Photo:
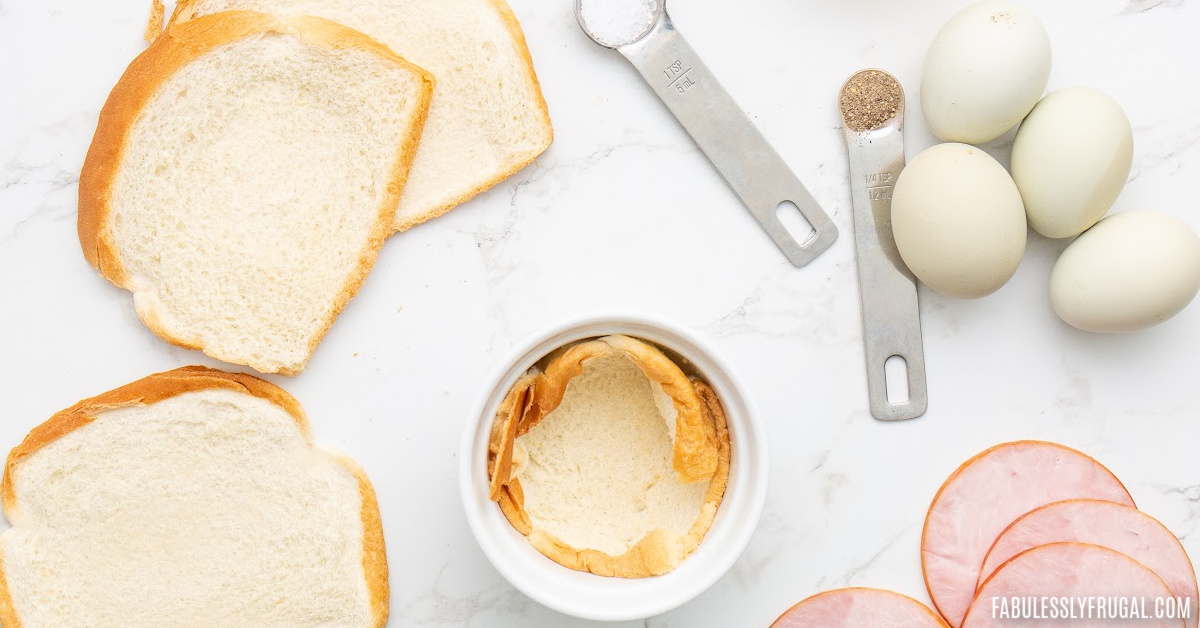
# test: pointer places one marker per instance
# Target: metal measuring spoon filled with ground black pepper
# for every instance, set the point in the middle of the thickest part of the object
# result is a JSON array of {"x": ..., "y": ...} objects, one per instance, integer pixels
[{"x": 872, "y": 105}]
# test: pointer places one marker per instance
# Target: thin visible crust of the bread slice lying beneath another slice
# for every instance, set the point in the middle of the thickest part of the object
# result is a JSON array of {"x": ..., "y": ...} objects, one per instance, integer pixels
[{"x": 185, "y": 10}]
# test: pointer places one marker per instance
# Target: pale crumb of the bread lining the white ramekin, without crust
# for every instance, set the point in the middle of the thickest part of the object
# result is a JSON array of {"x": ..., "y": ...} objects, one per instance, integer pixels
[{"x": 599, "y": 474}]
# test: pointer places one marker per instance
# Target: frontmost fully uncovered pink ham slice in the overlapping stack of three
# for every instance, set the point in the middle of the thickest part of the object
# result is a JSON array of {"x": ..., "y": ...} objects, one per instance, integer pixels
[{"x": 1069, "y": 571}]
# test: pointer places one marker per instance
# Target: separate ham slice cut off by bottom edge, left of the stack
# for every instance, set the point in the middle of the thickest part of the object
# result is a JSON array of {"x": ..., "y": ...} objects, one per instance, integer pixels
[{"x": 860, "y": 608}]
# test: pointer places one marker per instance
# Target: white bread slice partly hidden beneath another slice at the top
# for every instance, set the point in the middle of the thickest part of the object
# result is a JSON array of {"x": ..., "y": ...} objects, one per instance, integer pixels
[{"x": 489, "y": 118}]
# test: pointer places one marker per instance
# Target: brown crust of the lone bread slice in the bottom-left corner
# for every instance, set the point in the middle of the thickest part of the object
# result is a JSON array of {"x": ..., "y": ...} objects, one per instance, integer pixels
[{"x": 169, "y": 385}]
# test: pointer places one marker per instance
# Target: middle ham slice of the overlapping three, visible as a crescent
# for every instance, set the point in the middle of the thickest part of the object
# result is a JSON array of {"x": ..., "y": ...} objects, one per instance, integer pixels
[{"x": 1109, "y": 525}]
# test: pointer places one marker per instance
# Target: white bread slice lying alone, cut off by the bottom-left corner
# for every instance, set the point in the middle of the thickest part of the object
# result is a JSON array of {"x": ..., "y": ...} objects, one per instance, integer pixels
[{"x": 193, "y": 498}]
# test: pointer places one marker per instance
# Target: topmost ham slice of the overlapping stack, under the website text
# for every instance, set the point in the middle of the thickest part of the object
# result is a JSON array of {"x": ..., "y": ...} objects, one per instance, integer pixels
[{"x": 1075, "y": 581}]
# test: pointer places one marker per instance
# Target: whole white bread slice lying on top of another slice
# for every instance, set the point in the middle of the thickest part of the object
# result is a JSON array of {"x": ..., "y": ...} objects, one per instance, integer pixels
[{"x": 244, "y": 175}]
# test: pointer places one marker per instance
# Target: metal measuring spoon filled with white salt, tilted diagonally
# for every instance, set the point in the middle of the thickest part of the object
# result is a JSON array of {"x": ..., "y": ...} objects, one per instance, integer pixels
[{"x": 643, "y": 32}]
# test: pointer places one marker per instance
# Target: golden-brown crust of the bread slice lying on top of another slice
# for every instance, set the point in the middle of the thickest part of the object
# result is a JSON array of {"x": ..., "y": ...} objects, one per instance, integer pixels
[{"x": 178, "y": 46}]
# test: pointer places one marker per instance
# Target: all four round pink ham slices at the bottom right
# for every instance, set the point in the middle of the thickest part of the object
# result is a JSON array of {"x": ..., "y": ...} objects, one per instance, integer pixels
[{"x": 1036, "y": 525}]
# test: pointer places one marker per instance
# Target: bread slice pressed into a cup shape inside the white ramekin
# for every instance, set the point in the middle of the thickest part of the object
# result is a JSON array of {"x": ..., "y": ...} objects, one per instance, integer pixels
[{"x": 611, "y": 462}]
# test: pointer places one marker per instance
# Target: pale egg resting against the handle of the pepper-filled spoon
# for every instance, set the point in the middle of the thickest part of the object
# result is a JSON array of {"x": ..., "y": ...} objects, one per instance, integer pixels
[{"x": 958, "y": 222}]
